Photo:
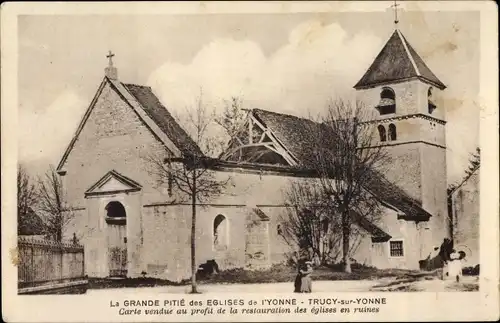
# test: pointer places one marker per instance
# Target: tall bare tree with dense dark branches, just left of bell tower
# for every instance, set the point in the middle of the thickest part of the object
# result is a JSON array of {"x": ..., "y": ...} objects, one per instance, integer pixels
[{"x": 345, "y": 159}]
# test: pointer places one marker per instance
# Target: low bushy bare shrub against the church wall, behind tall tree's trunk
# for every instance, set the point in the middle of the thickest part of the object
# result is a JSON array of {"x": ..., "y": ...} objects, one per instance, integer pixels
[{"x": 312, "y": 221}]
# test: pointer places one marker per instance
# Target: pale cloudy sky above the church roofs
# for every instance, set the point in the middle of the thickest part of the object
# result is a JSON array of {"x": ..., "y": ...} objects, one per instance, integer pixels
[{"x": 290, "y": 63}]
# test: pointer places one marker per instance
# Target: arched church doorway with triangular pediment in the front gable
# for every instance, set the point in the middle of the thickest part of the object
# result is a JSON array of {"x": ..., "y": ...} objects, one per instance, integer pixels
[{"x": 114, "y": 246}]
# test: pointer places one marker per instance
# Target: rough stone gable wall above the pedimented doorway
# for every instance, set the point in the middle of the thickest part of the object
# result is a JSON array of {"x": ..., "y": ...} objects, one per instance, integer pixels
[{"x": 113, "y": 138}]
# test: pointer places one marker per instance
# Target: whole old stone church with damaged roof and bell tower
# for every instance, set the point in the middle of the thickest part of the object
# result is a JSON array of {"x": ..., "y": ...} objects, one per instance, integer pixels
[{"x": 130, "y": 226}]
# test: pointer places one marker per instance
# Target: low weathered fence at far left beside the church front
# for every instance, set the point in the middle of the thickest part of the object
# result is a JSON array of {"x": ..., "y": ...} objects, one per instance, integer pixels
[{"x": 48, "y": 262}]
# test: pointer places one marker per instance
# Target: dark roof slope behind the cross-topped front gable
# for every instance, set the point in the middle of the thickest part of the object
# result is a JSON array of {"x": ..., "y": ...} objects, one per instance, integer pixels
[{"x": 162, "y": 117}]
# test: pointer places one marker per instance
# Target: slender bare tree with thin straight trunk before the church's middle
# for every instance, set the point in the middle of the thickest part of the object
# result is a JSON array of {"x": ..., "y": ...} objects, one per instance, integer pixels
[{"x": 190, "y": 173}]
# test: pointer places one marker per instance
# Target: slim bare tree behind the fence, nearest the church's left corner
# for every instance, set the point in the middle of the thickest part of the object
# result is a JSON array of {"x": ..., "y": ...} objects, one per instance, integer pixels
[{"x": 53, "y": 205}]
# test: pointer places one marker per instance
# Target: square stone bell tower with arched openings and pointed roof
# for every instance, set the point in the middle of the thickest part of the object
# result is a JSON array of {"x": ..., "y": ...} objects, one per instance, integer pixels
[{"x": 409, "y": 120}]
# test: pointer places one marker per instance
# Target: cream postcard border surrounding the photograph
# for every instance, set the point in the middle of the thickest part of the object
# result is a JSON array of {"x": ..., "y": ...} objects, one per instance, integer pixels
[{"x": 482, "y": 305}]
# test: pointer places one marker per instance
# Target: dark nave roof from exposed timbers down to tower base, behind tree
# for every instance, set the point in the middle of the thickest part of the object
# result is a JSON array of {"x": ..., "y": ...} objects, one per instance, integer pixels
[{"x": 299, "y": 135}]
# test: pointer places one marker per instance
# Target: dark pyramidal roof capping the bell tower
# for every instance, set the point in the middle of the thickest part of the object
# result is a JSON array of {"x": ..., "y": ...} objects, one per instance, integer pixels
[{"x": 397, "y": 61}]
